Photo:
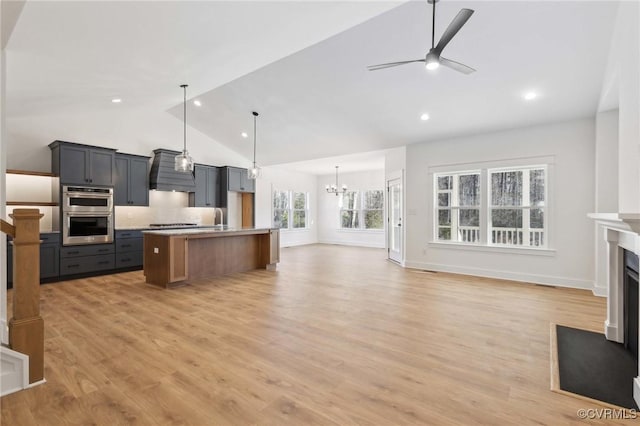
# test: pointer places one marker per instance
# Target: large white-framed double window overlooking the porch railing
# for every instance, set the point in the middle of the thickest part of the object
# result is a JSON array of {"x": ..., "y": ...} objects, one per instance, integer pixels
[{"x": 511, "y": 214}]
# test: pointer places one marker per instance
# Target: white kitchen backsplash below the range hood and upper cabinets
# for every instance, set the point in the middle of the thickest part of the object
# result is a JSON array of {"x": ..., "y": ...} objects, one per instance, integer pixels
[{"x": 164, "y": 207}]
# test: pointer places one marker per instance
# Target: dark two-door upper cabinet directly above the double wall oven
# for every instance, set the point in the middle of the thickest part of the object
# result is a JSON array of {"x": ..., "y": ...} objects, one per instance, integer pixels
[{"x": 78, "y": 164}]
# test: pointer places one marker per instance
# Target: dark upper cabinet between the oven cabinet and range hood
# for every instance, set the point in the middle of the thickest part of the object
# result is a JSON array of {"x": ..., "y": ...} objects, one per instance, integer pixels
[{"x": 131, "y": 180}]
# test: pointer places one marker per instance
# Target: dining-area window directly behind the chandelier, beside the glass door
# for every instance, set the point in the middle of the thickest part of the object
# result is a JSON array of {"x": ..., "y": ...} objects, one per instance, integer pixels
[{"x": 362, "y": 210}]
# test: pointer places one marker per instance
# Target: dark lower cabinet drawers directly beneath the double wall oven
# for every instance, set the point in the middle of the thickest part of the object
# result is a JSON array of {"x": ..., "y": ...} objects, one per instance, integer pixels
[{"x": 86, "y": 259}]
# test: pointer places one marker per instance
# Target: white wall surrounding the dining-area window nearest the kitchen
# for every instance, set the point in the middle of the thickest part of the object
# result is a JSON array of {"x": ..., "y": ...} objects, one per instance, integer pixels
[{"x": 274, "y": 178}]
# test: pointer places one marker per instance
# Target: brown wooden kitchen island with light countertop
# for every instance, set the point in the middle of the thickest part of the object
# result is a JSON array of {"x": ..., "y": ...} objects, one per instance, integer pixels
[{"x": 173, "y": 256}]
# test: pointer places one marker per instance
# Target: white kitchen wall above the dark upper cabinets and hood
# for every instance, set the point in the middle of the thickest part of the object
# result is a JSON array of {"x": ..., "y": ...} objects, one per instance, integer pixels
[{"x": 130, "y": 130}]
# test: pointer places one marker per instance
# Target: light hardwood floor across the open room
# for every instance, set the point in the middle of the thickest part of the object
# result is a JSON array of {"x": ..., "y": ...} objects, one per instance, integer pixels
[{"x": 337, "y": 335}]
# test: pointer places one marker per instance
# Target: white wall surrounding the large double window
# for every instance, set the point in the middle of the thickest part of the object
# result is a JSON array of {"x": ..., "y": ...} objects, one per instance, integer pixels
[{"x": 571, "y": 189}]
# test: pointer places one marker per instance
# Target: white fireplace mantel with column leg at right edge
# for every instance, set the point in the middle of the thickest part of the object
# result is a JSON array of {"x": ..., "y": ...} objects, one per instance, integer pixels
[{"x": 621, "y": 232}]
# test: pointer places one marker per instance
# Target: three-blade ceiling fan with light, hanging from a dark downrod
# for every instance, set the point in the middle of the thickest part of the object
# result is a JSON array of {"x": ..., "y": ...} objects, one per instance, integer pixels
[{"x": 433, "y": 59}]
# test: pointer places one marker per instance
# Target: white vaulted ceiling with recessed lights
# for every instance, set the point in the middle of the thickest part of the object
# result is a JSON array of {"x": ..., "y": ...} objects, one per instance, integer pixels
[{"x": 319, "y": 101}]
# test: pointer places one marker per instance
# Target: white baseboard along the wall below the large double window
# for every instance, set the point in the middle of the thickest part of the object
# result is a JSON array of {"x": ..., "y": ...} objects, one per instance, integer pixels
[{"x": 504, "y": 275}]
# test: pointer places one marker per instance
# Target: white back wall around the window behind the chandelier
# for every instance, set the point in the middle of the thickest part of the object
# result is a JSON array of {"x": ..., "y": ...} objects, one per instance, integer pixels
[{"x": 329, "y": 231}]
